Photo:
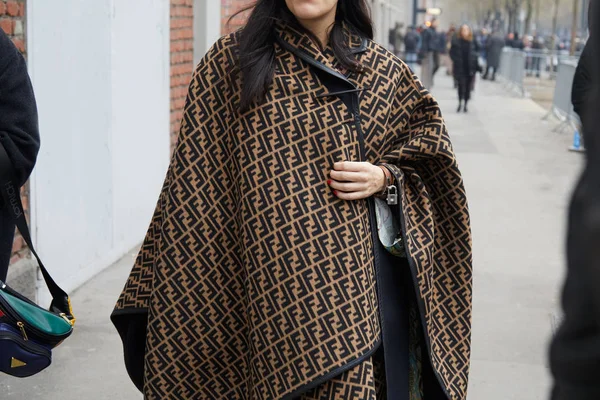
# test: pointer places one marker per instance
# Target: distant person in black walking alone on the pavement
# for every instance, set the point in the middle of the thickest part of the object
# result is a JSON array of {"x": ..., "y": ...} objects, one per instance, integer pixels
[{"x": 466, "y": 65}]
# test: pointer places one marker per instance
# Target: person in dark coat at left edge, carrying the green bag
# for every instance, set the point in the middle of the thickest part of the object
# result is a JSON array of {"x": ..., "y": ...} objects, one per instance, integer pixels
[{"x": 19, "y": 134}]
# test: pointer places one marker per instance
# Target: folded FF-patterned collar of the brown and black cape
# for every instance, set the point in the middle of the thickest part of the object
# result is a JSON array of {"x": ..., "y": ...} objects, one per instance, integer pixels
[{"x": 302, "y": 45}]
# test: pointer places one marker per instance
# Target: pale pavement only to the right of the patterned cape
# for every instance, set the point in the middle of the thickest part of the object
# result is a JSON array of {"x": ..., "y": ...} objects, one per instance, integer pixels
[{"x": 518, "y": 175}]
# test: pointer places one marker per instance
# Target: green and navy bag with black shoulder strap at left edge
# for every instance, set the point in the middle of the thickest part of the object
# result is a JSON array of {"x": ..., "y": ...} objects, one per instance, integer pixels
[{"x": 28, "y": 333}]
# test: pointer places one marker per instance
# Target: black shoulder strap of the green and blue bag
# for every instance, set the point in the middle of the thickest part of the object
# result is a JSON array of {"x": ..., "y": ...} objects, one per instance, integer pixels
[{"x": 9, "y": 189}]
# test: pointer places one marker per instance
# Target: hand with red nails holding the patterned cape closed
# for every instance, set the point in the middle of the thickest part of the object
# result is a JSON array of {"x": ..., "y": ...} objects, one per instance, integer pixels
[{"x": 352, "y": 180}]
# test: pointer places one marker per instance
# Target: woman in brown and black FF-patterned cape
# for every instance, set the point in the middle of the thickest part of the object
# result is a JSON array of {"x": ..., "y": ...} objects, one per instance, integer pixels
[{"x": 262, "y": 275}]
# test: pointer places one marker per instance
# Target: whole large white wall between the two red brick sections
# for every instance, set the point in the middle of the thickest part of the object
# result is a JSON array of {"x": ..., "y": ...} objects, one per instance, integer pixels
[{"x": 100, "y": 73}]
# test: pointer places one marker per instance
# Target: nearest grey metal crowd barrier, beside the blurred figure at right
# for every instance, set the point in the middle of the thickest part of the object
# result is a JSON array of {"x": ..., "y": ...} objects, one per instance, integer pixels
[{"x": 562, "y": 108}]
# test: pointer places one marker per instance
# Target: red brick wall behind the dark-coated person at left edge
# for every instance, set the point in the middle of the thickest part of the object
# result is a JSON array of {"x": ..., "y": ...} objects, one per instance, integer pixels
[{"x": 12, "y": 21}]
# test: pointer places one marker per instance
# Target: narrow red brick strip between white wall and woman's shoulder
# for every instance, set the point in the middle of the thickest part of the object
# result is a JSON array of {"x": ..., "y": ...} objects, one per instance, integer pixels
[{"x": 182, "y": 59}]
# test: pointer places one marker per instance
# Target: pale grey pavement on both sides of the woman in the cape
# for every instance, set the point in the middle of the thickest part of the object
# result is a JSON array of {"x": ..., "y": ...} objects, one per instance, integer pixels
[{"x": 518, "y": 176}]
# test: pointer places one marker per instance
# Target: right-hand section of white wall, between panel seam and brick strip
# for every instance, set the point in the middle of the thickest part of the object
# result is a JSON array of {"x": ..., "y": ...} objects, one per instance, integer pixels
[{"x": 140, "y": 114}]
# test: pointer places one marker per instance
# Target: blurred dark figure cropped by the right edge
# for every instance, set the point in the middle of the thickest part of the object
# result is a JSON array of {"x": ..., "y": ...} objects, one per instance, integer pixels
[{"x": 575, "y": 349}]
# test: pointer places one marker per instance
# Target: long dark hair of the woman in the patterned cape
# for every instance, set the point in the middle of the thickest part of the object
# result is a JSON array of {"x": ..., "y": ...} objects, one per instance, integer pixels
[{"x": 256, "y": 57}]
